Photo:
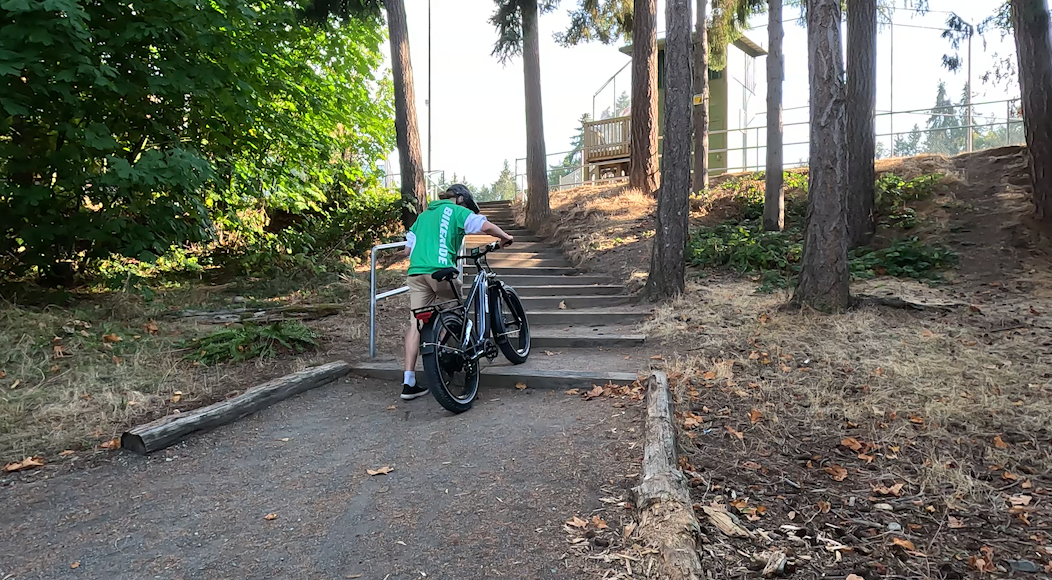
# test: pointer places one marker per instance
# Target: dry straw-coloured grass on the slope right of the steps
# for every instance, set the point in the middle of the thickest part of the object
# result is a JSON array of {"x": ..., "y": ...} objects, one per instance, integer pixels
[{"x": 877, "y": 369}]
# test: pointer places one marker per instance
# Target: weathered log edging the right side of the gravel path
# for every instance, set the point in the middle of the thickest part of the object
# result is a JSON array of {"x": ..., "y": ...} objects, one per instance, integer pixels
[{"x": 667, "y": 519}]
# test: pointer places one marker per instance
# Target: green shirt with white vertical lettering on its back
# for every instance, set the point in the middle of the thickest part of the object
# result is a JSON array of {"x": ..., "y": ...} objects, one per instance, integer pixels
[{"x": 439, "y": 232}]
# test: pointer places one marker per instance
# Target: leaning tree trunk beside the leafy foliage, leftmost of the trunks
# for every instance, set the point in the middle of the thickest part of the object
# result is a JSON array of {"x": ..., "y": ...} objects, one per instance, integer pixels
[{"x": 411, "y": 162}]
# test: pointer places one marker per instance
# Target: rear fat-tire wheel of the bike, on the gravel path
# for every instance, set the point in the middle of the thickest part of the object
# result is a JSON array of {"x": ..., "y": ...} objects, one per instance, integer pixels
[{"x": 453, "y": 379}]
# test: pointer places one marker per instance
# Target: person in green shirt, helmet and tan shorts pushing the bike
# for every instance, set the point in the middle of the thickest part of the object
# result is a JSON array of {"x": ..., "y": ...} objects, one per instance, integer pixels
[{"x": 432, "y": 245}]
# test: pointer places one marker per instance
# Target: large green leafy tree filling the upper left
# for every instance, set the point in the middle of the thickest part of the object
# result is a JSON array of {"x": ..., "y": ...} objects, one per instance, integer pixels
[{"x": 124, "y": 134}]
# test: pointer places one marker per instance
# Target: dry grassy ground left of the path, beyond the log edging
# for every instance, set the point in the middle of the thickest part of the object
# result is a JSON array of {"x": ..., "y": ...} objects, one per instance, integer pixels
[{"x": 66, "y": 387}]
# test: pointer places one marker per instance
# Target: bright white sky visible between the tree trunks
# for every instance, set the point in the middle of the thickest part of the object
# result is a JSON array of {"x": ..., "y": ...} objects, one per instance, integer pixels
[{"x": 477, "y": 118}]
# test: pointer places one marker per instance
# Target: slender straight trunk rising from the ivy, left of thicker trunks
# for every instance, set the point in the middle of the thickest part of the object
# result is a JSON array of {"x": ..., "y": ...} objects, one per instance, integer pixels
[{"x": 775, "y": 202}]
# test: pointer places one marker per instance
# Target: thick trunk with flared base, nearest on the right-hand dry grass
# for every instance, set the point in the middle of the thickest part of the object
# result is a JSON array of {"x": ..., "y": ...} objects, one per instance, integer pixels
[{"x": 824, "y": 278}]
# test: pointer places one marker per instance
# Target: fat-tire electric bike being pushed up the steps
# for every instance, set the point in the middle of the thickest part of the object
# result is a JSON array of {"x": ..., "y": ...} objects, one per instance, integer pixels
[{"x": 456, "y": 335}]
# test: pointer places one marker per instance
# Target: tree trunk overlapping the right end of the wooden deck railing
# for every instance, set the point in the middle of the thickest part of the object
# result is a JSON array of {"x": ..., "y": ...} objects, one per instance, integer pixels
[{"x": 643, "y": 166}]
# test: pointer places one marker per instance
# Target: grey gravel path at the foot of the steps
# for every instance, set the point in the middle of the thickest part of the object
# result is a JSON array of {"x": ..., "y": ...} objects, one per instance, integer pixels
[{"x": 479, "y": 495}]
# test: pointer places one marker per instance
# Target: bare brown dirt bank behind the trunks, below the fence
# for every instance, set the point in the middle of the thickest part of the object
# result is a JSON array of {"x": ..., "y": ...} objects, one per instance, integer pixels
[{"x": 982, "y": 210}]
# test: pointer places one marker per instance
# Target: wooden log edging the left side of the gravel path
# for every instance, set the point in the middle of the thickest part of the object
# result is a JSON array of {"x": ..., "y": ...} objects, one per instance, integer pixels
[{"x": 171, "y": 430}]
